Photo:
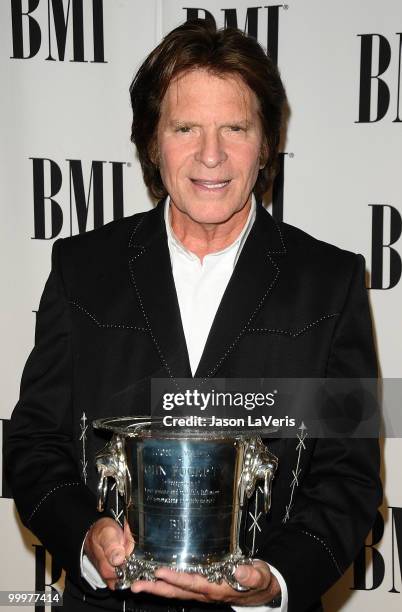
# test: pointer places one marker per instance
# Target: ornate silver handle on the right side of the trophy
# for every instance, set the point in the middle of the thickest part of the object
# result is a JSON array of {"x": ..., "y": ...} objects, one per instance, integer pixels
[{"x": 258, "y": 464}]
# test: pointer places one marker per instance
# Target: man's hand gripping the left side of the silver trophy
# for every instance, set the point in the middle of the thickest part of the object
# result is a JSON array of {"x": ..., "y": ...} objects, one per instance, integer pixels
[{"x": 107, "y": 546}]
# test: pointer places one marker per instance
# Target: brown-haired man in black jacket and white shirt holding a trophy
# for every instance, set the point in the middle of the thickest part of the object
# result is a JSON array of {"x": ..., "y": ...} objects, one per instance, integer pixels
[{"x": 206, "y": 284}]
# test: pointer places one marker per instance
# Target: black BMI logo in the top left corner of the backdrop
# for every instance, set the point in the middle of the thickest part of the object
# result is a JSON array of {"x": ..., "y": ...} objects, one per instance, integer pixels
[{"x": 58, "y": 26}]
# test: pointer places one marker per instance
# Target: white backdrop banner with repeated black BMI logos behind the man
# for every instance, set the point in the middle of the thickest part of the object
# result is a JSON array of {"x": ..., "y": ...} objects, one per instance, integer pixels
[{"x": 67, "y": 166}]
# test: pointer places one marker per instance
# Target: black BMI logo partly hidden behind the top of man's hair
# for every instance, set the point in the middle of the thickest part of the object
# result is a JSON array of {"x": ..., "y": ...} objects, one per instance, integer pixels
[{"x": 252, "y": 24}]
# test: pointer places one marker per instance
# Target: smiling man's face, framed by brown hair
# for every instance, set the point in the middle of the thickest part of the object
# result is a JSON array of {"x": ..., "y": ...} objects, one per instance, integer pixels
[{"x": 210, "y": 144}]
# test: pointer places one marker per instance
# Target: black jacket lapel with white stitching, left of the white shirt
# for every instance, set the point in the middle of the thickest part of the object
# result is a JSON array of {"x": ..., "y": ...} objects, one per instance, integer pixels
[{"x": 153, "y": 283}]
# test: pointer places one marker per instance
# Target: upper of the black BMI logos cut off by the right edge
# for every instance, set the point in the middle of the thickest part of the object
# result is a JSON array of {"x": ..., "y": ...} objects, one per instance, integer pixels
[{"x": 380, "y": 78}]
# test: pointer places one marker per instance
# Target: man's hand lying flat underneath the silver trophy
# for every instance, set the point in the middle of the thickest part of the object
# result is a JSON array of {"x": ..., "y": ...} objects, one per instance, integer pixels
[{"x": 180, "y": 585}]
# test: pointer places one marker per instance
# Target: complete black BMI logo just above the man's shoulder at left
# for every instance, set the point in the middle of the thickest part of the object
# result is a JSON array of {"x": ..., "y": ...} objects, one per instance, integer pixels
[{"x": 86, "y": 195}]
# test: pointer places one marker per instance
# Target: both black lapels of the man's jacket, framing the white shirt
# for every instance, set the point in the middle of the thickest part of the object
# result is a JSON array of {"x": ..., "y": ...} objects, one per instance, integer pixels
[{"x": 252, "y": 281}]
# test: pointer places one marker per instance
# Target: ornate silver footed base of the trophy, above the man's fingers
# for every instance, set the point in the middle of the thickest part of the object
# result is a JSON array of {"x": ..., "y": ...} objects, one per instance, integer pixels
[{"x": 140, "y": 569}]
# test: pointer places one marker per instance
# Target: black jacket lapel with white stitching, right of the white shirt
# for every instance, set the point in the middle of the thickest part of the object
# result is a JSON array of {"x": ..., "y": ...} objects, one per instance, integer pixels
[{"x": 252, "y": 281}]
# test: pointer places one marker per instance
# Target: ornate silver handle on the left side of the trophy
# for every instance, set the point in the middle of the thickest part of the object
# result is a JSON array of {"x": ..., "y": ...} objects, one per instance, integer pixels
[{"x": 111, "y": 462}]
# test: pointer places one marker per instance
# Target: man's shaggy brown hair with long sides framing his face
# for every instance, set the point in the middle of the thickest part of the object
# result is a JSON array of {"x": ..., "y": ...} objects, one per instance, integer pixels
[{"x": 226, "y": 52}]
